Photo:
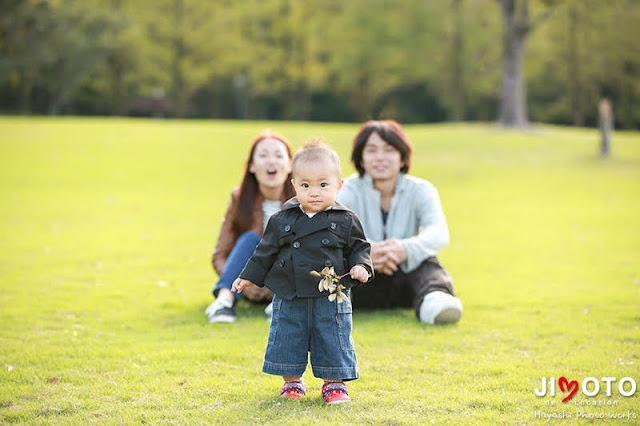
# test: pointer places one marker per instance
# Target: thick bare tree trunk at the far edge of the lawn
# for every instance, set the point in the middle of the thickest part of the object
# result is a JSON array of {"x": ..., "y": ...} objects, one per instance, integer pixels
[{"x": 513, "y": 98}]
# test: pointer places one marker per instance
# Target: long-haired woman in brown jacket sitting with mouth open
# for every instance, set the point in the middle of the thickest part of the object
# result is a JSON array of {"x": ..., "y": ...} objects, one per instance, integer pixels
[{"x": 265, "y": 187}]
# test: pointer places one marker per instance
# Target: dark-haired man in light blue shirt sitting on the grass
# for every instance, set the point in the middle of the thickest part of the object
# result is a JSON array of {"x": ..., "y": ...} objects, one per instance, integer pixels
[{"x": 404, "y": 222}]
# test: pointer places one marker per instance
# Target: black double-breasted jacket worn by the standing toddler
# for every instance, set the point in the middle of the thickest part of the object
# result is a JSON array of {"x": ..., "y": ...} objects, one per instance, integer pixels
[{"x": 293, "y": 245}]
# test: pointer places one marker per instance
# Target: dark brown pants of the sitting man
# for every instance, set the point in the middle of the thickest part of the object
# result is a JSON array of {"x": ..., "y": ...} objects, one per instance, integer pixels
[{"x": 402, "y": 290}]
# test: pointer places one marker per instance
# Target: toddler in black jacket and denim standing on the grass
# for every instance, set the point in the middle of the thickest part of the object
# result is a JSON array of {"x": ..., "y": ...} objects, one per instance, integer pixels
[{"x": 311, "y": 232}]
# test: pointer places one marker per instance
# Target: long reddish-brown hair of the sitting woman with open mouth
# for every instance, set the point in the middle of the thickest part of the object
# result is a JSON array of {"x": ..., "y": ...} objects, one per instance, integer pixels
[{"x": 250, "y": 190}]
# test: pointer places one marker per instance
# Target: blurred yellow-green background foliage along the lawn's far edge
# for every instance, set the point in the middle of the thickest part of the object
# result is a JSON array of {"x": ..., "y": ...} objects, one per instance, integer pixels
[{"x": 412, "y": 60}]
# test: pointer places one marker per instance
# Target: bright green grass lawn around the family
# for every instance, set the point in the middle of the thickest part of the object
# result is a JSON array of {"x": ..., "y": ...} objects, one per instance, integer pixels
[{"x": 106, "y": 230}]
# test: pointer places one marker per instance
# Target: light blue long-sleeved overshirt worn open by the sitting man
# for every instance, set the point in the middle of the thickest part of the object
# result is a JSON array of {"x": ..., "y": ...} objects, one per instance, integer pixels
[{"x": 416, "y": 217}]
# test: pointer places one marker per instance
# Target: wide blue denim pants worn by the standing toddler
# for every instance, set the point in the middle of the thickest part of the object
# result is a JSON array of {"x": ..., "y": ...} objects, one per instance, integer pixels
[{"x": 313, "y": 328}]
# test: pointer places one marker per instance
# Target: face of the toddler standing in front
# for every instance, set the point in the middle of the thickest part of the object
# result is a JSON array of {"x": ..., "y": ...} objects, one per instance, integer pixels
[{"x": 316, "y": 184}]
